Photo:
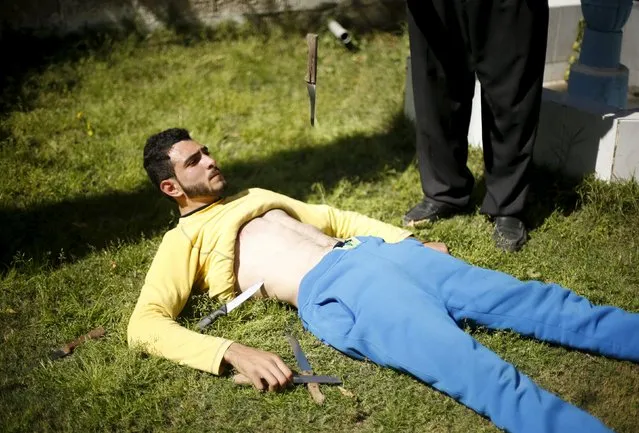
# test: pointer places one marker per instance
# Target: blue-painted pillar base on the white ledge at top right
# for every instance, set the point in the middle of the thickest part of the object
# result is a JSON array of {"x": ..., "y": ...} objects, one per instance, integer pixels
[{"x": 599, "y": 76}]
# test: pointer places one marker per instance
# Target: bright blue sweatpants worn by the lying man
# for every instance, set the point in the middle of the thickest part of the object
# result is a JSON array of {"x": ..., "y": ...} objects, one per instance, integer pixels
[{"x": 399, "y": 305}]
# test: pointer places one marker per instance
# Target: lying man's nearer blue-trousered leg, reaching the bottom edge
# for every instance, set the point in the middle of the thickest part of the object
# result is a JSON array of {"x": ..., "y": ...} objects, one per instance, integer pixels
[{"x": 362, "y": 304}]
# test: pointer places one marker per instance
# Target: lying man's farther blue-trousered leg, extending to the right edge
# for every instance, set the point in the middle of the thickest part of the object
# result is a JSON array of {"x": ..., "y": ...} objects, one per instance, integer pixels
[{"x": 497, "y": 300}]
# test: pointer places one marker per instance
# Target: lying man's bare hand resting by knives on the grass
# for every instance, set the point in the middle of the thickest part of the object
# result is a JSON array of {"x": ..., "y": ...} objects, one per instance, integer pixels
[{"x": 262, "y": 368}]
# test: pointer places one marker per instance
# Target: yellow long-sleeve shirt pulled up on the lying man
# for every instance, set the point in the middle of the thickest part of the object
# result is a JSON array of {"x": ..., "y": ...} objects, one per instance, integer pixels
[{"x": 199, "y": 254}]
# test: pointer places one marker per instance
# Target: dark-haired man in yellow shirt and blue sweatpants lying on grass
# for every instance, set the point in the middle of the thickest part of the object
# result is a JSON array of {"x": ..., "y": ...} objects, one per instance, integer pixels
[{"x": 383, "y": 295}]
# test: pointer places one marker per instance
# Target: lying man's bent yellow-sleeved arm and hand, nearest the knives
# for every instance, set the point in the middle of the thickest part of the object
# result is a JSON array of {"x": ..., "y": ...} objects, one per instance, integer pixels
[{"x": 153, "y": 327}]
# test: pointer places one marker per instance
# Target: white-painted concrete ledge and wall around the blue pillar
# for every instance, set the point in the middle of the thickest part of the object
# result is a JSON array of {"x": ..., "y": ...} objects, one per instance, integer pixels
[{"x": 575, "y": 136}]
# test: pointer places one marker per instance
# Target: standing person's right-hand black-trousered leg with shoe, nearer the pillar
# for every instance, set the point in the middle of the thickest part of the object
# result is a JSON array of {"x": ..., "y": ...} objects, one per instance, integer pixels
[{"x": 508, "y": 45}]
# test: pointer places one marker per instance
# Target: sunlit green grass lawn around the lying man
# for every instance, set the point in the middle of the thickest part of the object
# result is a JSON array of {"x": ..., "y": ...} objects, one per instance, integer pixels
[{"x": 80, "y": 224}]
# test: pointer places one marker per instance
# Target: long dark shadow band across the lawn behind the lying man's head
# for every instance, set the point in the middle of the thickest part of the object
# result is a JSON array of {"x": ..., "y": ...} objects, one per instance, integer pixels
[{"x": 68, "y": 230}]
